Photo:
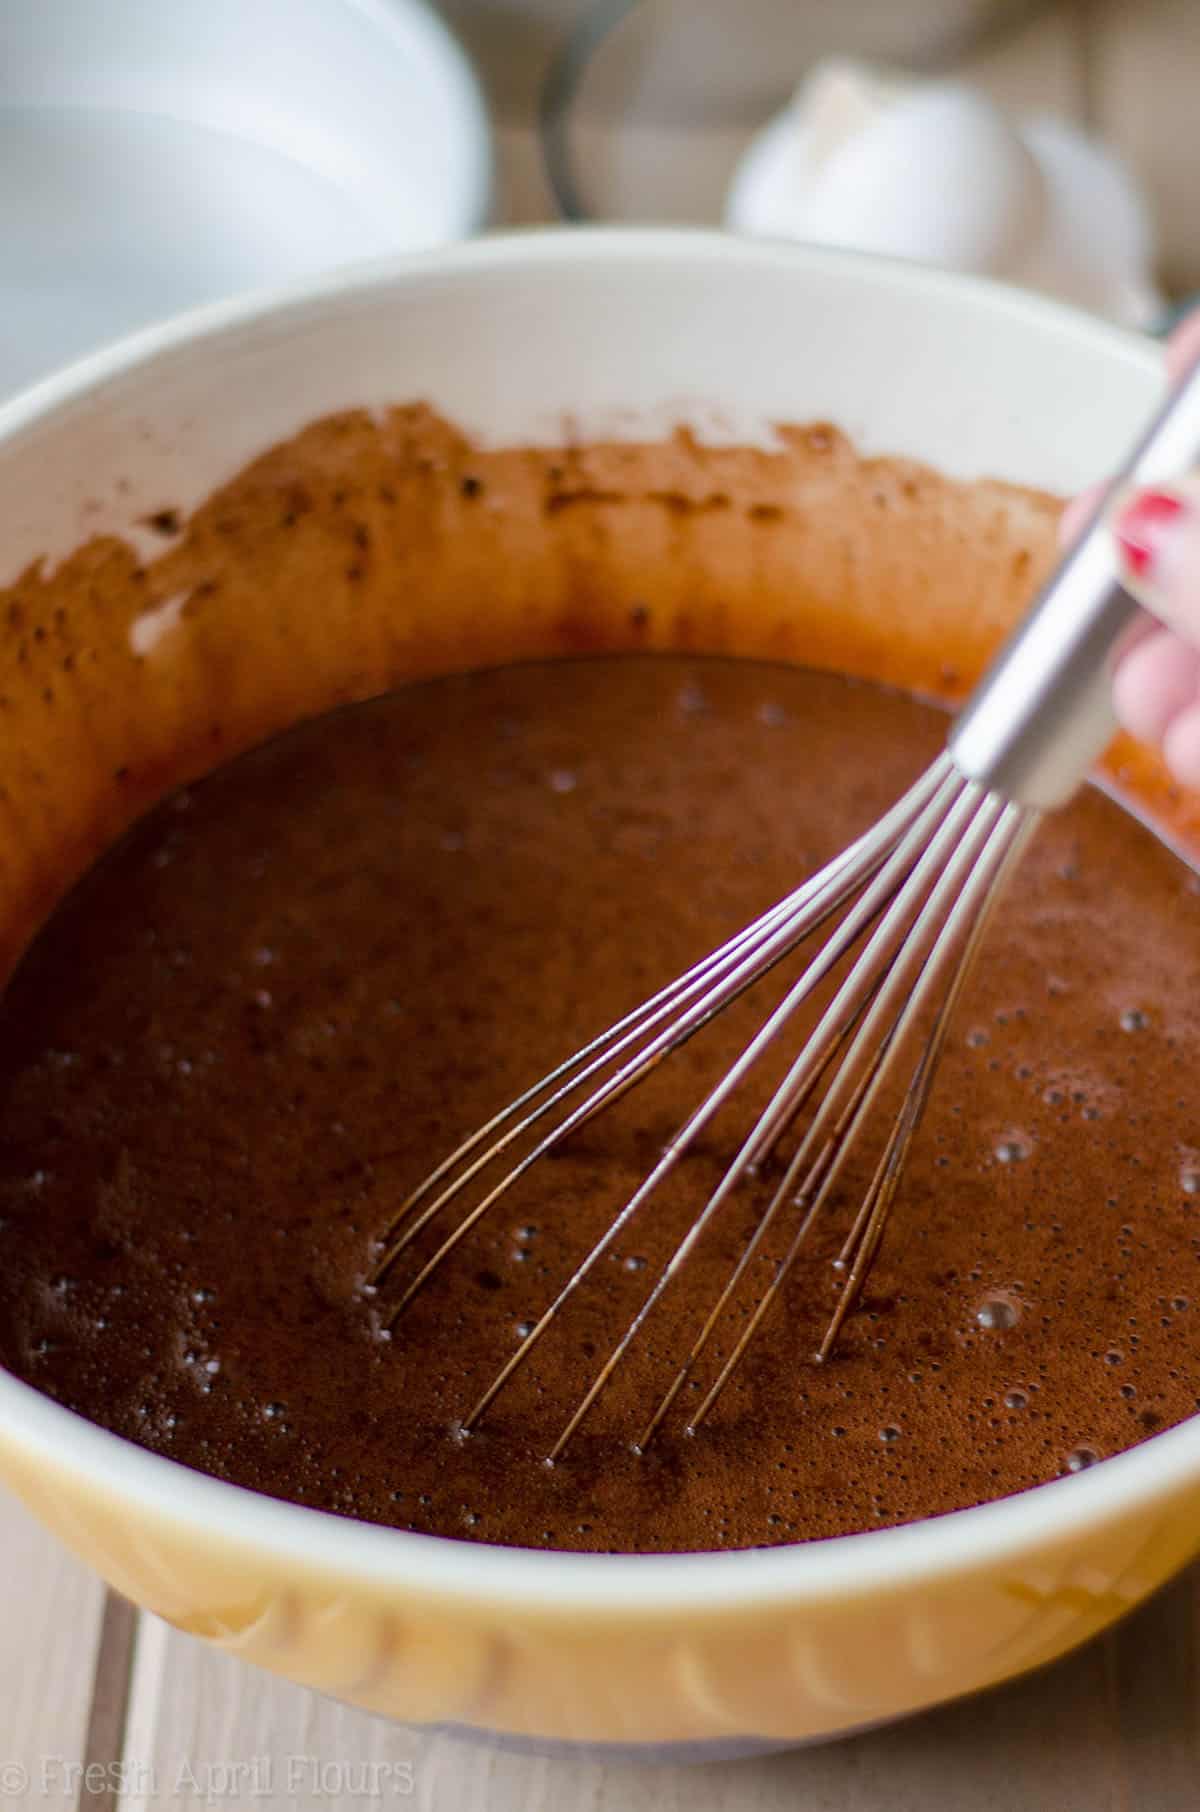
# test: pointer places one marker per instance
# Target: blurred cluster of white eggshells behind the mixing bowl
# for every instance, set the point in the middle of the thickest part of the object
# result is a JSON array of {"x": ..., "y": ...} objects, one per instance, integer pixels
[{"x": 940, "y": 175}]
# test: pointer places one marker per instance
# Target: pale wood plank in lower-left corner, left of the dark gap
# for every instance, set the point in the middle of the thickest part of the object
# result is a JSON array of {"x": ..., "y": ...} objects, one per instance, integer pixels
[{"x": 52, "y": 1623}]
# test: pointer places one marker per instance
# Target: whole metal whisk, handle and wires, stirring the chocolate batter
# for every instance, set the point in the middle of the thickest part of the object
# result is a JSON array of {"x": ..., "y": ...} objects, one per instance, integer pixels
[{"x": 909, "y": 905}]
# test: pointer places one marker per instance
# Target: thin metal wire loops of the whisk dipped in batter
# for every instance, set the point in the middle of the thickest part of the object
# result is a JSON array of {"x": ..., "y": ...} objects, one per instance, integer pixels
[{"x": 909, "y": 898}]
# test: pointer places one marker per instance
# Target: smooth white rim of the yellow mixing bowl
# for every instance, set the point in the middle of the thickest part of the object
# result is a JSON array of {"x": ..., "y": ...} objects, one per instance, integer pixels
[{"x": 630, "y": 1585}]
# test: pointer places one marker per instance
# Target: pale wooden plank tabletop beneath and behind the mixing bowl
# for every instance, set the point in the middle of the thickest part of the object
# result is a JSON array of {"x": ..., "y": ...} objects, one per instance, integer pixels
[{"x": 1112, "y": 1730}]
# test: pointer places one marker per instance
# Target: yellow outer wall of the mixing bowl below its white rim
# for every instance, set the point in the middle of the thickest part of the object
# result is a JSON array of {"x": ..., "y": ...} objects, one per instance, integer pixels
[{"x": 786, "y": 1673}]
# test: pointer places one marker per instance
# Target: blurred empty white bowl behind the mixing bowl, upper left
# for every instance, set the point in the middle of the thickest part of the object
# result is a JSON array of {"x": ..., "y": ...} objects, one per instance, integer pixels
[{"x": 166, "y": 153}]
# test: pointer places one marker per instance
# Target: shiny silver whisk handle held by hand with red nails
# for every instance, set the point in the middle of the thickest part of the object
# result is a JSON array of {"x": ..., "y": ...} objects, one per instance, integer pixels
[{"x": 1043, "y": 713}]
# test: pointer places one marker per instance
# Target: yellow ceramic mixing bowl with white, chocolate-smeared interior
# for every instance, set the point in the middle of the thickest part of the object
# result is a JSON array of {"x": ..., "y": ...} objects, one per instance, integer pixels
[{"x": 191, "y": 566}]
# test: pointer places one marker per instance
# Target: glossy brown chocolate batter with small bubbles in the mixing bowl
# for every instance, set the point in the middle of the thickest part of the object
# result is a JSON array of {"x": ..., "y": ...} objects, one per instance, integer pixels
[{"x": 293, "y": 988}]
